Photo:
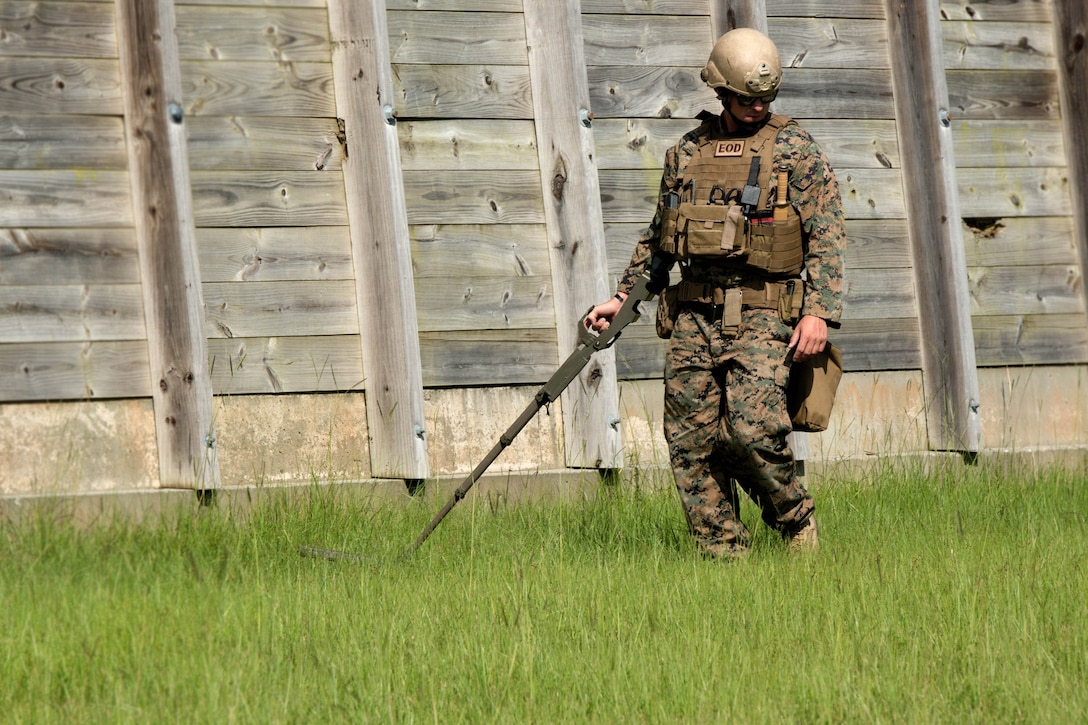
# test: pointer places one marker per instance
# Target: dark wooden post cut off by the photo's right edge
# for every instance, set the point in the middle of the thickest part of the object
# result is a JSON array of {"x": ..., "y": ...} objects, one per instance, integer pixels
[{"x": 1071, "y": 45}]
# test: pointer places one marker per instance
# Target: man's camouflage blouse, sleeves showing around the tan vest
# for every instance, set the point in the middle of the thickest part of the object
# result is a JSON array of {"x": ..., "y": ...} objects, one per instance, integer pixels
[{"x": 814, "y": 193}]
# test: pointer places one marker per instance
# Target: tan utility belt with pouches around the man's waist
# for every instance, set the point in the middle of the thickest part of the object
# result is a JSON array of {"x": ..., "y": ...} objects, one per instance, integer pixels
[{"x": 786, "y": 297}]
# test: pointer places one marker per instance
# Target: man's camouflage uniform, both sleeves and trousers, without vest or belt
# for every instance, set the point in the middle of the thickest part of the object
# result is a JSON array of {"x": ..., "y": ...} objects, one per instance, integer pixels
[{"x": 725, "y": 397}]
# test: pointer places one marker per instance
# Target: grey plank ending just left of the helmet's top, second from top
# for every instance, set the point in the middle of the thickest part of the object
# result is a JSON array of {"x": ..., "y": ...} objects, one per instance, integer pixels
[{"x": 647, "y": 41}]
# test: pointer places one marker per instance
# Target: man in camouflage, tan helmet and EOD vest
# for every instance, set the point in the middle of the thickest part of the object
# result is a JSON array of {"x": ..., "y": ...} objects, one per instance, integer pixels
[{"x": 750, "y": 208}]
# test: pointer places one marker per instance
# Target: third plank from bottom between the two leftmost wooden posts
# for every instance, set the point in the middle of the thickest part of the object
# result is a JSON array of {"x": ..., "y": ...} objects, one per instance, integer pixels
[{"x": 275, "y": 254}]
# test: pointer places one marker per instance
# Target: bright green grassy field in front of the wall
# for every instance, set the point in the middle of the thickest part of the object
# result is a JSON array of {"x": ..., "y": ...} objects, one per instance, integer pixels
[{"x": 951, "y": 596}]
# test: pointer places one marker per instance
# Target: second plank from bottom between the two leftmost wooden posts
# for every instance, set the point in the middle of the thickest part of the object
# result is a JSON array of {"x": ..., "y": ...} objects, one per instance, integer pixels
[{"x": 267, "y": 310}]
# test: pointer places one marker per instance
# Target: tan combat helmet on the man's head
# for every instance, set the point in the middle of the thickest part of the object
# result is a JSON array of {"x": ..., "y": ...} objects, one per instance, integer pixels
[{"x": 746, "y": 63}]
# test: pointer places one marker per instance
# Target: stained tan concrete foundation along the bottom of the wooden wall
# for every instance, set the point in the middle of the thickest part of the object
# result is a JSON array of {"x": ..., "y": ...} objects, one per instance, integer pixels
[{"x": 106, "y": 448}]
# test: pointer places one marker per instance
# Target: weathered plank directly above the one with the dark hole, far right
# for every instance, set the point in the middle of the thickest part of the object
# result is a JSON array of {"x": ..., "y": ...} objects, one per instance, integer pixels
[{"x": 1015, "y": 192}]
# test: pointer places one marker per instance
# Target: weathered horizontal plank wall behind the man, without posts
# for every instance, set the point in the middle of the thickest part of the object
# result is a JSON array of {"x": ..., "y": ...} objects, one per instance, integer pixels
[{"x": 270, "y": 211}]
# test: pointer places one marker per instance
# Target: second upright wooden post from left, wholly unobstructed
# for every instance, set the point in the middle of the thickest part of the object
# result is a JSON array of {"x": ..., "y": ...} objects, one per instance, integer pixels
[{"x": 380, "y": 243}]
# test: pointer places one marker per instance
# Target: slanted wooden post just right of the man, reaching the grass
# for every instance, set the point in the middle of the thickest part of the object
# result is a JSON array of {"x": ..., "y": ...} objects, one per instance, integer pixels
[{"x": 933, "y": 210}]
